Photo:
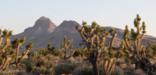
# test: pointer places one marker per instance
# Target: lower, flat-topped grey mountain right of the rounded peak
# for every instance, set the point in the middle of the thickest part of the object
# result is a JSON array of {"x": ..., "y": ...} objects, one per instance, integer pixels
[{"x": 66, "y": 29}]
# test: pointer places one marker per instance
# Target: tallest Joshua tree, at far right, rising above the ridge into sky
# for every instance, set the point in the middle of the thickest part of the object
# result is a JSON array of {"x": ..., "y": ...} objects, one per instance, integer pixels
[{"x": 134, "y": 47}]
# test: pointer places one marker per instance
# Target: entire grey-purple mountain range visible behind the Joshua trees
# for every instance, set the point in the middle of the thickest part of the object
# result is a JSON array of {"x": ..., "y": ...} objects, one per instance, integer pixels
[{"x": 45, "y": 31}]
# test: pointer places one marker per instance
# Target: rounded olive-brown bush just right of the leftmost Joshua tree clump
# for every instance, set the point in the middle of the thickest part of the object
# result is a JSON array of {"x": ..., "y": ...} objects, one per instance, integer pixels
[{"x": 40, "y": 63}]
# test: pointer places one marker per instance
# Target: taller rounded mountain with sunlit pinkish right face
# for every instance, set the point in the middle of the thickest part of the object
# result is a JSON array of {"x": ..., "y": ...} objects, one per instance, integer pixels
[{"x": 41, "y": 31}]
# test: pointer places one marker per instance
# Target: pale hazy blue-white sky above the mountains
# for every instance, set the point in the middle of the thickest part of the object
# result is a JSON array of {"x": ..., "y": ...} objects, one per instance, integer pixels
[{"x": 20, "y": 14}]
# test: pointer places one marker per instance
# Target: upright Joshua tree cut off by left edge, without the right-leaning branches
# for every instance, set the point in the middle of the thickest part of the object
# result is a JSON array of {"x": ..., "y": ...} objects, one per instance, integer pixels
[{"x": 5, "y": 51}]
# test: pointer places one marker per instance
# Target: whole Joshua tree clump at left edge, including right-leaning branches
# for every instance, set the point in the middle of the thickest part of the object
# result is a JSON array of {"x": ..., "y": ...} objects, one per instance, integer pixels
[{"x": 9, "y": 50}]
